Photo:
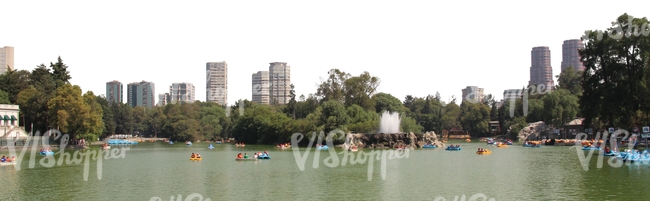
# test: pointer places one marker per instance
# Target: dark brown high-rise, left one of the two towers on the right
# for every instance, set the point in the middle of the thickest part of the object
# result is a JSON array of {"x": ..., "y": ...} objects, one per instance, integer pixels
[{"x": 541, "y": 71}]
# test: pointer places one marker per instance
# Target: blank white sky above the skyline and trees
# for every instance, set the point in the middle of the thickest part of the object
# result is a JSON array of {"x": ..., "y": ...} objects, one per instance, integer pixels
[{"x": 414, "y": 47}]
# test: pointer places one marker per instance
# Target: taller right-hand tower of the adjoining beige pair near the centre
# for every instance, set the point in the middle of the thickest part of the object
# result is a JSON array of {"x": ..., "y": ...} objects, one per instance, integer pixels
[{"x": 279, "y": 83}]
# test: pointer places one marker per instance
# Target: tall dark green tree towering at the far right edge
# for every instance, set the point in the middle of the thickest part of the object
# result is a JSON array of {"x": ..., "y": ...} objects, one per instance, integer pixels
[{"x": 614, "y": 72}]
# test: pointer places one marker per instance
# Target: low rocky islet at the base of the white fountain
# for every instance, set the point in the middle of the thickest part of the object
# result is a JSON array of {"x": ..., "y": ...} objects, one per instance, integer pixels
[{"x": 409, "y": 140}]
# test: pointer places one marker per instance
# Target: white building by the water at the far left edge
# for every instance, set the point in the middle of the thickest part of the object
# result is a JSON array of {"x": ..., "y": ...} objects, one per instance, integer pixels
[{"x": 9, "y": 122}]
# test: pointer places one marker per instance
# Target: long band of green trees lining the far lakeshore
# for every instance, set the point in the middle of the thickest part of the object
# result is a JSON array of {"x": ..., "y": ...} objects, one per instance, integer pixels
[{"x": 611, "y": 92}]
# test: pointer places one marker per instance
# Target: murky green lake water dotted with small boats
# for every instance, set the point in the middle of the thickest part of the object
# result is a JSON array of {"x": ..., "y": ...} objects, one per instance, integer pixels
[{"x": 150, "y": 170}]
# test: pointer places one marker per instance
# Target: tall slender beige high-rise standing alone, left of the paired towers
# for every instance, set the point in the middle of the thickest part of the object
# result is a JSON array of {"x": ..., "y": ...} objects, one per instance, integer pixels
[{"x": 216, "y": 86}]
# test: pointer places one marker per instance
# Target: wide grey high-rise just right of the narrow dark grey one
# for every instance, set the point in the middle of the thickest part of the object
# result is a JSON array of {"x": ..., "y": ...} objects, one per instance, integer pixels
[{"x": 141, "y": 94}]
